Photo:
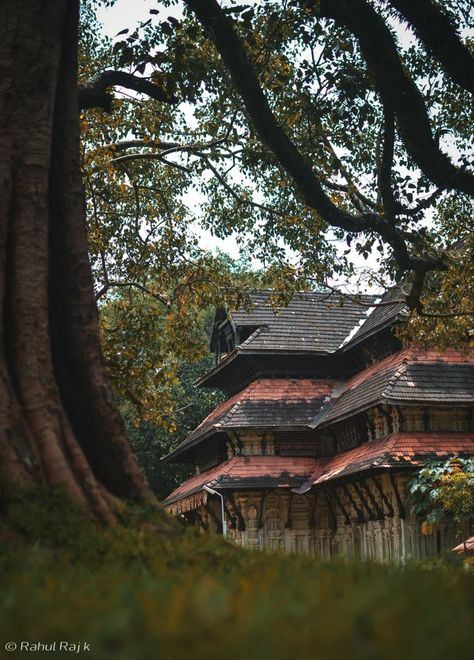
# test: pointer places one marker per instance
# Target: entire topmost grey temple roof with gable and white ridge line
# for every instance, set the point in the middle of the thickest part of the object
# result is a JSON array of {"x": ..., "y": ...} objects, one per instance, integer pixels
[{"x": 315, "y": 323}]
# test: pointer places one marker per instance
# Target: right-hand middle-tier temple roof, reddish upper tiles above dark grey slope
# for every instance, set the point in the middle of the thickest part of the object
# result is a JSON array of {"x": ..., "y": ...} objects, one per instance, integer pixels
[{"x": 410, "y": 375}]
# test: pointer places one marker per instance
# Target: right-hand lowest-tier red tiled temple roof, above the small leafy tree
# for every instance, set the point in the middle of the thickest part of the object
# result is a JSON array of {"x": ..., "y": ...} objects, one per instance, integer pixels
[{"x": 398, "y": 450}]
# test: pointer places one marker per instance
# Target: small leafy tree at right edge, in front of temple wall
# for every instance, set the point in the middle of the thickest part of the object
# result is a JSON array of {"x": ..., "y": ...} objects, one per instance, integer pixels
[{"x": 444, "y": 490}]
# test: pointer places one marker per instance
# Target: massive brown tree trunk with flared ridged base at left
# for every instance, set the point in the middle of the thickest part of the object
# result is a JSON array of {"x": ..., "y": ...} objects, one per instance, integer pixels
[{"x": 58, "y": 423}]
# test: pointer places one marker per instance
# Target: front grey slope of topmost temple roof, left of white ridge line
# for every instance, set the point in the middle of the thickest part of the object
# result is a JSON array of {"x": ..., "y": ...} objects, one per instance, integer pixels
[{"x": 317, "y": 322}]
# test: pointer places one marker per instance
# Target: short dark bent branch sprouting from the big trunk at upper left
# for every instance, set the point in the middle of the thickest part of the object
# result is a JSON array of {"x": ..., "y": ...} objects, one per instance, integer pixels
[{"x": 94, "y": 94}]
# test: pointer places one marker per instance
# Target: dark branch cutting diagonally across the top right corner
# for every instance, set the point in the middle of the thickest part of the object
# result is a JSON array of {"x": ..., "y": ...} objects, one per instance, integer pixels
[{"x": 434, "y": 29}]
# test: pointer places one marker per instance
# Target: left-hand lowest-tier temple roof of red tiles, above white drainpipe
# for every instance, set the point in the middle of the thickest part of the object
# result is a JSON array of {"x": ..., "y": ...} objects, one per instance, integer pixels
[{"x": 249, "y": 472}]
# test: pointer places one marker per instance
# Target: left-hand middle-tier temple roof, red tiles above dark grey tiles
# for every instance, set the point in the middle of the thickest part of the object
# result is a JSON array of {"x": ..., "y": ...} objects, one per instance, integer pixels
[{"x": 265, "y": 403}]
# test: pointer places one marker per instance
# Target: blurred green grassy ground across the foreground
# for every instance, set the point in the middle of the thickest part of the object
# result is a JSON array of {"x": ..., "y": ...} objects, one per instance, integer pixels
[{"x": 135, "y": 594}]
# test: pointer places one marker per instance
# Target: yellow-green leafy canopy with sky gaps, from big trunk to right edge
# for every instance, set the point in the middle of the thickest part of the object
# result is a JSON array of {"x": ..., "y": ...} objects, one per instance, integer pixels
[{"x": 185, "y": 154}]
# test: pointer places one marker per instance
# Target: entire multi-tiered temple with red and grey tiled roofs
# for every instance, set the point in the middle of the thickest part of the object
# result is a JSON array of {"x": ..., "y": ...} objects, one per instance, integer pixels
[{"x": 326, "y": 421}]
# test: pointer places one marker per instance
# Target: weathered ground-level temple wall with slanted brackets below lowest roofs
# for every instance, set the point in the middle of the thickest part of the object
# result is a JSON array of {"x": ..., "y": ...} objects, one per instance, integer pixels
[{"x": 332, "y": 523}]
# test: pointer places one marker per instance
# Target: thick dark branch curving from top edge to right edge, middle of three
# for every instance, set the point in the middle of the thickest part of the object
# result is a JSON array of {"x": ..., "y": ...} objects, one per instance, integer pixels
[{"x": 398, "y": 91}]
